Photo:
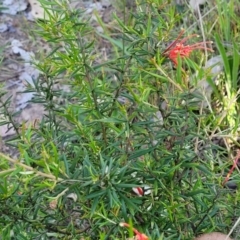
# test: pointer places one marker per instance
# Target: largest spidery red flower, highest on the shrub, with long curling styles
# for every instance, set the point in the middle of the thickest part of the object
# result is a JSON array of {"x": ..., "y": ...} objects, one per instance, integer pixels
[{"x": 178, "y": 48}]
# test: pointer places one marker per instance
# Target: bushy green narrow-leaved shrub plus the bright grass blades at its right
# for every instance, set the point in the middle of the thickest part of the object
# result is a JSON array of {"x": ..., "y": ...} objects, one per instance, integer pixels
[{"x": 126, "y": 122}]
